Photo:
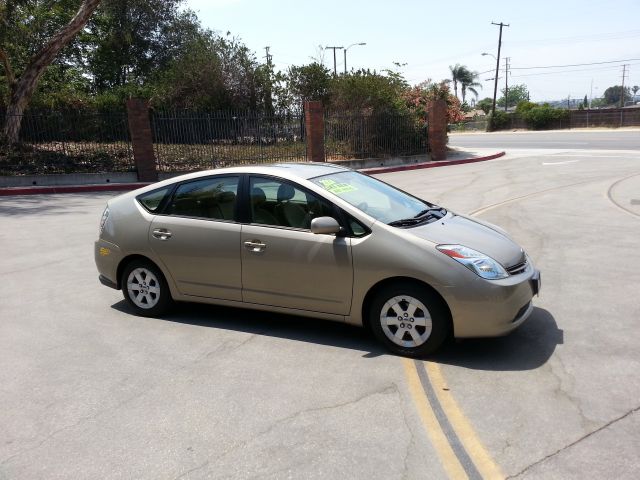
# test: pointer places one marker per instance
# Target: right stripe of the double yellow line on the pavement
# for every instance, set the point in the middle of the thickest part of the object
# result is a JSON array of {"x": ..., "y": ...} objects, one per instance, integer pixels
[{"x": 476, "y": 451}]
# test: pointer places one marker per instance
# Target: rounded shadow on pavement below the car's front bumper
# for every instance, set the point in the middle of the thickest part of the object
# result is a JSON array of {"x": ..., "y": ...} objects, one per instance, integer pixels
[{"x": 527, "y": 348}]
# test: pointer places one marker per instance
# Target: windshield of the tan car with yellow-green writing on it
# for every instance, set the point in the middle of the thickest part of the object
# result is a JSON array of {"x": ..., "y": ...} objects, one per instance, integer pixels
[{"x": 379, "y": 200}]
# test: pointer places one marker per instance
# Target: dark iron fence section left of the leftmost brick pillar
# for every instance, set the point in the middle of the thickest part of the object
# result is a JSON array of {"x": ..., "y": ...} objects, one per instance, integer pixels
[{"x": 70, "y": 142}]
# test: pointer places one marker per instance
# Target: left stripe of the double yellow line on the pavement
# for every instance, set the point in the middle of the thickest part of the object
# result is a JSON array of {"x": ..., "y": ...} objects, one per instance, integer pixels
[{"x": 439, "y": 440}]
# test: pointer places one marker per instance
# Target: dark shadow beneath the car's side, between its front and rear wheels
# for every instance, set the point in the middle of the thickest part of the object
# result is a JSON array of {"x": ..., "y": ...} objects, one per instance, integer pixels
[{"x": 301, "y": 329}]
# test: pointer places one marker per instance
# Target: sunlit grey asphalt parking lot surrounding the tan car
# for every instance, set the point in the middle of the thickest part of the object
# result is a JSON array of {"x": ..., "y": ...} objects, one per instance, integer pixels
[{"x": 88, "y": 390}]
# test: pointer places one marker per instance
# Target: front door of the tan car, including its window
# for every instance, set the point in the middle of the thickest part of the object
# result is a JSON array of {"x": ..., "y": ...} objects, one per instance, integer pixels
[{"x": 283, "y": 263}]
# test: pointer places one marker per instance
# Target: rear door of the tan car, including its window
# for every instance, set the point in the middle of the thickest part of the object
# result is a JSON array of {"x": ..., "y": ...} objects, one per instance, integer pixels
[{"x": 198, "y": 239}]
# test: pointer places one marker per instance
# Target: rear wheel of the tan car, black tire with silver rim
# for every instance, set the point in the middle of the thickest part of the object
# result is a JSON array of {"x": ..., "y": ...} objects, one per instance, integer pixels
[{"x": 151, "y": 297}]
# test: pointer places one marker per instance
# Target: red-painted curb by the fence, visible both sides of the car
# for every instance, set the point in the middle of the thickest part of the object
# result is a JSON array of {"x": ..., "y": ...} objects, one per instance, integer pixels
[{"x": 118, "y": 187}]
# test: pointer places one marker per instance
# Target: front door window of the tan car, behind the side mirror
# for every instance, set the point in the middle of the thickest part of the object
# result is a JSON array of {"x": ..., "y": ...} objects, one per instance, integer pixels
[{"x": 279, "y": 203}]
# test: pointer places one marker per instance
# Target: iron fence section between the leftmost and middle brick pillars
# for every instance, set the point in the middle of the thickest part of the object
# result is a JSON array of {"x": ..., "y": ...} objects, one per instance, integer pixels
[{"x": 185, "y": 141}]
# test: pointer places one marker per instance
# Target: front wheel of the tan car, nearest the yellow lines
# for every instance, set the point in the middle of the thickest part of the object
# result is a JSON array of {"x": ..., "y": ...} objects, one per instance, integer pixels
[{"x": 404, "y": 317}]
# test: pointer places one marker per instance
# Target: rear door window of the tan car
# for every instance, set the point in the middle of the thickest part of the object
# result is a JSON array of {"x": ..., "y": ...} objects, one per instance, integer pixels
[{"x": 211, "y": 198}]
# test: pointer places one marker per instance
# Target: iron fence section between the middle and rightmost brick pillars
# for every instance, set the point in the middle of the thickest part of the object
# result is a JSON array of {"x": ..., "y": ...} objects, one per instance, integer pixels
[{"x": 357, "y": 136}]
